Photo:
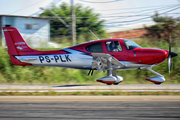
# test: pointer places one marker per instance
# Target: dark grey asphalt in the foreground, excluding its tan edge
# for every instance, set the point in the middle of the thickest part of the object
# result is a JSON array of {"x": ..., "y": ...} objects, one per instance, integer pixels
[{"x": 90, "y": 110}]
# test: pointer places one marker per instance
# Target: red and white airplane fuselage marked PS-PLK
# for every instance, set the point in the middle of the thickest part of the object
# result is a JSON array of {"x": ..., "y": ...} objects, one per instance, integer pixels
[{"x": 79, "y": 56}]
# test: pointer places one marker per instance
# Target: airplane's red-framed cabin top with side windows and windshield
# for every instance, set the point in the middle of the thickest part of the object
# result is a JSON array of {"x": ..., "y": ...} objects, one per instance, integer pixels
[{"x": 107, "y": 45}]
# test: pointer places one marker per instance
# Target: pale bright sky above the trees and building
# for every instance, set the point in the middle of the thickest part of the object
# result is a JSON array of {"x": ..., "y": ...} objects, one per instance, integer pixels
[{"x": 115, "y": 12}]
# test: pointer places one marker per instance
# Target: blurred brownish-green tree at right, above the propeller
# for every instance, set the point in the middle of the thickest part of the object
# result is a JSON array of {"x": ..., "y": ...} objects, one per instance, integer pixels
[{"x": 165, "y": 26}]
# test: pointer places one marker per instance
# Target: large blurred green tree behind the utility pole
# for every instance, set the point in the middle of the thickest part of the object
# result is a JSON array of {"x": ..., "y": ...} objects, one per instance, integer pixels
[{"x": 85, "y": 20}]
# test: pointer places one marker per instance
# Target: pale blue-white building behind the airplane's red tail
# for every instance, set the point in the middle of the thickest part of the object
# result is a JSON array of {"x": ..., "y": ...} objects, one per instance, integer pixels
[{"x": 35, "y": 30}]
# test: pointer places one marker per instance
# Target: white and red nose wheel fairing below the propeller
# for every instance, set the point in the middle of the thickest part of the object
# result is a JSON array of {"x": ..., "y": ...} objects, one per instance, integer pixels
[{"x": 157, "y": 79}]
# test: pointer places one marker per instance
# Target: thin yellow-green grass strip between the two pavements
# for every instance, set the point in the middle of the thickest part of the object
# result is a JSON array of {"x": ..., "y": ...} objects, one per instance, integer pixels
[{"x": 53, "y": 93}]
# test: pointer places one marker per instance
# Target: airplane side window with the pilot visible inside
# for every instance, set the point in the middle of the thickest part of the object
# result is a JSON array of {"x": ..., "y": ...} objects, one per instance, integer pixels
[{"x": 113, "y": 46}]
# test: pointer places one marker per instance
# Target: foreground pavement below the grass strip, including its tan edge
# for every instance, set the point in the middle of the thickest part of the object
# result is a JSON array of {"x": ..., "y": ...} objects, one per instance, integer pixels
[{"x": 89, "y": 107}]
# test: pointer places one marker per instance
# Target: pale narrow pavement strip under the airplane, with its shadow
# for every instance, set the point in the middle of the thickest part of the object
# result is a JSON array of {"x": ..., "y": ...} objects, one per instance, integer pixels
[{"x": 73, "y": 88}]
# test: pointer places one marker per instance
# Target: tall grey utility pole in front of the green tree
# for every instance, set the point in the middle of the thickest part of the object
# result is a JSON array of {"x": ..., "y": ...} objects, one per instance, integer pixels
[{"x": 73, "y": 25}]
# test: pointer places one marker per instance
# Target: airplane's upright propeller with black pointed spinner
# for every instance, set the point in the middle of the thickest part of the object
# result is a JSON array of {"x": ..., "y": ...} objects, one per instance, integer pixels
[{"x": 170, "y": 55}]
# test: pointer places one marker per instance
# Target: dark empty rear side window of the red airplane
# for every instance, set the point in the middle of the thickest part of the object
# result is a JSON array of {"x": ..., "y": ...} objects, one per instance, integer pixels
[{"x": 97, "y": 47}]
